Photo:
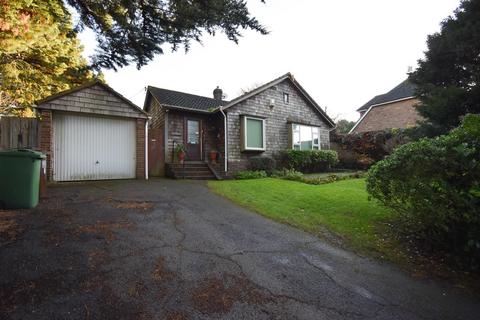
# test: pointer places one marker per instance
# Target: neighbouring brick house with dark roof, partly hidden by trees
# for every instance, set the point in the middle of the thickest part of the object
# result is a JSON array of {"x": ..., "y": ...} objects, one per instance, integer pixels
[{"x": 394, "y": 109}]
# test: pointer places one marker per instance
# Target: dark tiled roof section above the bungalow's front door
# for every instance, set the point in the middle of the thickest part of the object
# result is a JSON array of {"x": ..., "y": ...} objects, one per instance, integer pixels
[{"x": 185, "y": 100}]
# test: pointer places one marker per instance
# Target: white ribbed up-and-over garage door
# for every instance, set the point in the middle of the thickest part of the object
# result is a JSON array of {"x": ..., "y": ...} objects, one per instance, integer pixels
[{"x": 93, "y": 148}]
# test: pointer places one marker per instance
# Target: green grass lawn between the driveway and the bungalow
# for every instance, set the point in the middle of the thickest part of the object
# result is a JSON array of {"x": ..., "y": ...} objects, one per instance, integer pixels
[{"x": 341, "y": 207}]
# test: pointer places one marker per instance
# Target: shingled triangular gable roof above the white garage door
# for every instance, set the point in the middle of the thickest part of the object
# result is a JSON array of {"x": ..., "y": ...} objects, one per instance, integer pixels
[{"x": 93, "y": 97}]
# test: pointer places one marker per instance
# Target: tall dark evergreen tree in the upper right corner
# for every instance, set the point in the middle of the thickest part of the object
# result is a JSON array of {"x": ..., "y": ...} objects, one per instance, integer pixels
[{"x": 448, "y": 78}]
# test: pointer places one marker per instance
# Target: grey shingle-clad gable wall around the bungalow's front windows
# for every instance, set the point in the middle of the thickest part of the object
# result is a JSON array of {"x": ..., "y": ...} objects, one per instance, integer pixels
[{"x": 276, "y": 122}]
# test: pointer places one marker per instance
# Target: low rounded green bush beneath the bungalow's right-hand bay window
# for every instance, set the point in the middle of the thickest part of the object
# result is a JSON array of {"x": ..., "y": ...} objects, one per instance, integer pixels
[{"x": 309, "y": 160}]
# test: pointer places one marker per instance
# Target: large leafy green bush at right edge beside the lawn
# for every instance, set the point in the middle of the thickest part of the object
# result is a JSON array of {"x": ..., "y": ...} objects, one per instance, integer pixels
[{"x": 434, "y": 185}]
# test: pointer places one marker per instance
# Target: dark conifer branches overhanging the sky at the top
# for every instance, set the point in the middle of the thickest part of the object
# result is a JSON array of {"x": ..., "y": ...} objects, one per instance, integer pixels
[{"x": 134, "y": 31}]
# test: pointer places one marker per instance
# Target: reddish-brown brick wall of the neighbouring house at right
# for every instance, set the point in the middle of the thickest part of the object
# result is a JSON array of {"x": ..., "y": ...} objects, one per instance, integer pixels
[{"x": 397, "y": 115}]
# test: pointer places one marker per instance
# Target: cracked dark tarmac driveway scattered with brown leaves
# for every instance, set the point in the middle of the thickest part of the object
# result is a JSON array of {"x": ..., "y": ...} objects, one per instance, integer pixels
[{"x": 167, "y": 249}]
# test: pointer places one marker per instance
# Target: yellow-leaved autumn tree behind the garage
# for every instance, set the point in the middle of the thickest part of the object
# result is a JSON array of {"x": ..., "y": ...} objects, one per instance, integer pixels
[{"x": 39, "y": 53}]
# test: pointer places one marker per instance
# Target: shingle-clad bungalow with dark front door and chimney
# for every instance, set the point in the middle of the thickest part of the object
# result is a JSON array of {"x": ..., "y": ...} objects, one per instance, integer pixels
[{"x": 273, "y": 117}]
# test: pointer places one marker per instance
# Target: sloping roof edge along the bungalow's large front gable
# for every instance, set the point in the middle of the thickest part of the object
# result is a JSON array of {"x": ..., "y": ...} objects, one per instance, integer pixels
[{"x": 291, "y": 78}]
